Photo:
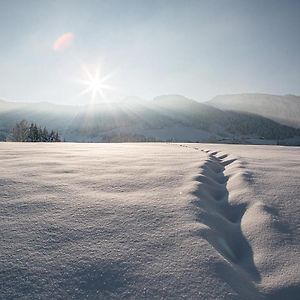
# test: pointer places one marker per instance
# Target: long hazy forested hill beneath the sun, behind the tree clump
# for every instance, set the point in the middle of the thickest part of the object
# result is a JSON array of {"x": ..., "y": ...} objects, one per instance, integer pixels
[{"x": 165, "y": 118}]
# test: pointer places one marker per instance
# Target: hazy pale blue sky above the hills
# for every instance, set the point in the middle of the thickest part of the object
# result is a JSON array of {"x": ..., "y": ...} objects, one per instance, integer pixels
[{"x": 148, "y": 48}]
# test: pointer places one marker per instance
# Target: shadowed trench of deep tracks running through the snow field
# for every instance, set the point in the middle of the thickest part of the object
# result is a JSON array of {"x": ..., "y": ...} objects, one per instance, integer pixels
[{"x": 223, "y": 219}]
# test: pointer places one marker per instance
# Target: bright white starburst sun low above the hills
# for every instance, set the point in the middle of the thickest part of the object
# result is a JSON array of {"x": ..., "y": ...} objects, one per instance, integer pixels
[{"x": 95, "y": 83}]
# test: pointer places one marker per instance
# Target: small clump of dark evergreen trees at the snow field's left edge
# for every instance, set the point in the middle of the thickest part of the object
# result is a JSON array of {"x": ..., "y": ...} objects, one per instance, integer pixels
[{"x": 31, "y": 132}]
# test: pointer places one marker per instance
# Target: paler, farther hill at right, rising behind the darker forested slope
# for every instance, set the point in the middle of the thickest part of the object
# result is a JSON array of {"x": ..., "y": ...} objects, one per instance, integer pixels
[{"x": 282, "y": 109}]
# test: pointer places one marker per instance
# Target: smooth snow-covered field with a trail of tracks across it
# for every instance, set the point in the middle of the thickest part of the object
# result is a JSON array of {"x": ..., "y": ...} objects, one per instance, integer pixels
[{"x": 149, "y": 221}]
